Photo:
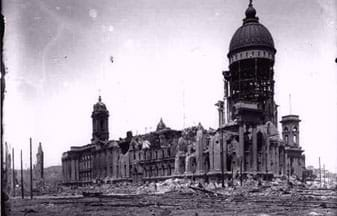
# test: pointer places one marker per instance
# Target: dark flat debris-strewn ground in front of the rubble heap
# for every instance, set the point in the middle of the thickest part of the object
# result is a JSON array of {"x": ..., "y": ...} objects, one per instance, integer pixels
[{"x": 304, "y": 202}]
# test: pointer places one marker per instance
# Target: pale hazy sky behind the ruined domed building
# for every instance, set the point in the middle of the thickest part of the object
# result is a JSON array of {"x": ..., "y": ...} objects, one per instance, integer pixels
[{"x": 168, "y": 58}]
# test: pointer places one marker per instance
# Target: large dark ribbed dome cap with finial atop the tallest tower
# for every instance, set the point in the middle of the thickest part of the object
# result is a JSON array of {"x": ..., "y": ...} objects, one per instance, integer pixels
[{"x": 251, "y": 34}]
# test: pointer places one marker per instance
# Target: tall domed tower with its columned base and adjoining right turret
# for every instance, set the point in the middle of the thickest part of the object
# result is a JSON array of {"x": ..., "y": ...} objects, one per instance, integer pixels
[{"x": 248, "y": 117}]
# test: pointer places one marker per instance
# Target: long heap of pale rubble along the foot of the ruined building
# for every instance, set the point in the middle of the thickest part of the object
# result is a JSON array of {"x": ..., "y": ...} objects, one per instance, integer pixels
[{"x": 278, "y": 188}]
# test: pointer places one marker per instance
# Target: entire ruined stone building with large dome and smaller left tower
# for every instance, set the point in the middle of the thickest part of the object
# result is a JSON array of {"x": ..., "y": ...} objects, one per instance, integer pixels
[{"x": 247, "y": 140}]
